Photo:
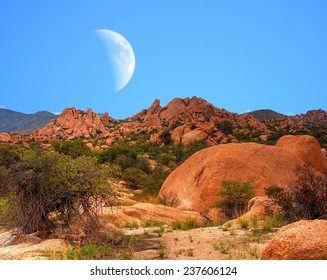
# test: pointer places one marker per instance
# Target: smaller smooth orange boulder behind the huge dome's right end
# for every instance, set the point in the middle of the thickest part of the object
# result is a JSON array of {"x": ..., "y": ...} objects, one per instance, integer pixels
[{"x": 305, "y": 147}]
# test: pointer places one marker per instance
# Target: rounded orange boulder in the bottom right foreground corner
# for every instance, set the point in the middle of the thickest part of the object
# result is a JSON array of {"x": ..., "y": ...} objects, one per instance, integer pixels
[{"x": 303, "y": 240}]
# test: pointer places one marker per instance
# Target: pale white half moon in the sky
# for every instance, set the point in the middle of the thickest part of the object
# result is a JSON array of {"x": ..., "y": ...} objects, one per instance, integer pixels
[{"x": 121, "y": 56}]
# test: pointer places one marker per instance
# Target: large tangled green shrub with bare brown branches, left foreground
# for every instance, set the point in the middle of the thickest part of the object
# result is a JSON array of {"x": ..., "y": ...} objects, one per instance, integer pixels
[{"x": 45, "y": 190}]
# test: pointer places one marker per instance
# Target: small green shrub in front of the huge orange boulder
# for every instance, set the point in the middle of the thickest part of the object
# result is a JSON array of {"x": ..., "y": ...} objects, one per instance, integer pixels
[{"x": 234, "y": 197}]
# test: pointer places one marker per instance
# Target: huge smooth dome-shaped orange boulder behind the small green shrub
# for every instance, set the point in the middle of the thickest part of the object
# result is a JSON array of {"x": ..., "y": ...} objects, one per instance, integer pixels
[{"x": 194, "y": 184}]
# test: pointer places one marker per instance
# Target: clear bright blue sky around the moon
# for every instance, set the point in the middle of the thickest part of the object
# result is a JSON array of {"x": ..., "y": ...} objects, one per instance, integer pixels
[{"x": 239, "y": 55}]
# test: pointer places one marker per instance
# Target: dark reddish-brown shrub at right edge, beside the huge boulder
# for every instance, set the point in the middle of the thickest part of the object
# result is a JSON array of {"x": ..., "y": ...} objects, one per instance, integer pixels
[{"x": 306, "y": 198}]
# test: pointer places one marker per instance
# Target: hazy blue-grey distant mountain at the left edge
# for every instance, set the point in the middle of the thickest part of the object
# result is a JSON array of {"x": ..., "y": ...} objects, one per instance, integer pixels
[{"x": 12, "y": 121}]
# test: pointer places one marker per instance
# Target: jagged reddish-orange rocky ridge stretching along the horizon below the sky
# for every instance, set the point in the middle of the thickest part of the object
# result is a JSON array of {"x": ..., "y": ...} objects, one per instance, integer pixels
[{"x": 188, "y": 120}]
